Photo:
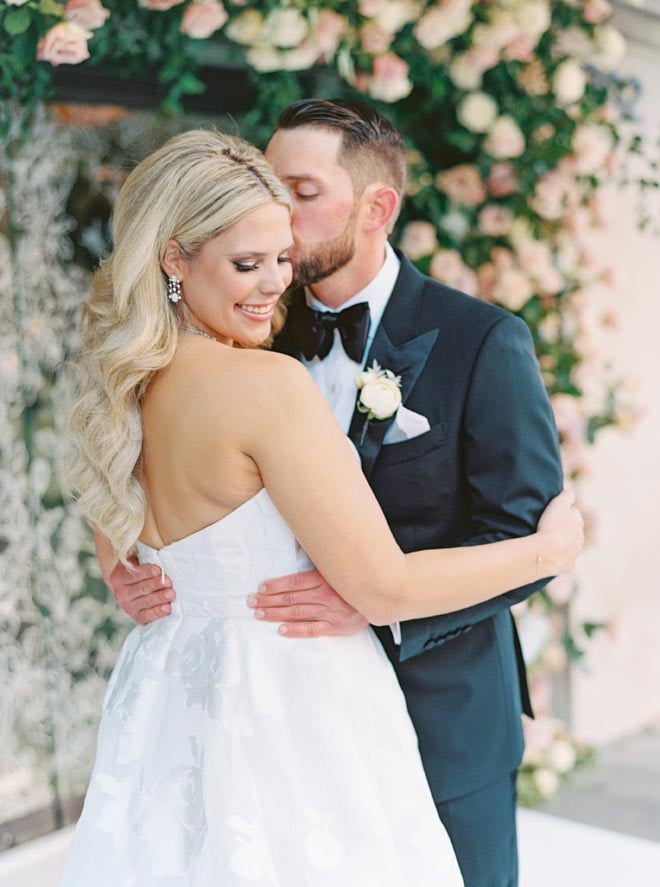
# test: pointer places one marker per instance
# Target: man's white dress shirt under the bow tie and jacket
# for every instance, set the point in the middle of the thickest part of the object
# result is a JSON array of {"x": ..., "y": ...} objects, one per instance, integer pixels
[{"x": 335, "y": 375}]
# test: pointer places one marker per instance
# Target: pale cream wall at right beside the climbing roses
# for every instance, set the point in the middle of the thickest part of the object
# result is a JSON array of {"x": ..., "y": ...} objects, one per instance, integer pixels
[{"x": 617, "y": 691}]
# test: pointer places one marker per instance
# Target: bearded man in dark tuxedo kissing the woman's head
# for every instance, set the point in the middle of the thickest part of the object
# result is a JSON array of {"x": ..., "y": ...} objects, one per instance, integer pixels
[{"x": 471, "y": 457}]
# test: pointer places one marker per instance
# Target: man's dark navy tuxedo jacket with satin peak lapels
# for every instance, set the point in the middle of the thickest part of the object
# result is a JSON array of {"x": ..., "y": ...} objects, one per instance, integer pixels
[{"x": 484, "y": 471}]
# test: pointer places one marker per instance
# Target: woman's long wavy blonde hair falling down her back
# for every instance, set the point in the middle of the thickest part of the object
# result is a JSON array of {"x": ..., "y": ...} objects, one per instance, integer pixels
[{"x": 193, "y": 188}]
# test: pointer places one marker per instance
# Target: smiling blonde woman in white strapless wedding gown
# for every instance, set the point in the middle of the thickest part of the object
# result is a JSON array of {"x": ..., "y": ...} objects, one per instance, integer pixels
[{"x": 225, "y": 755}]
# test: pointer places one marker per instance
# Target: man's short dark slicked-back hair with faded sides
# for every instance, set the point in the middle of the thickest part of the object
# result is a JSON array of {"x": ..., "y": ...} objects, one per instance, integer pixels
[{"x": 371, "y": 147}]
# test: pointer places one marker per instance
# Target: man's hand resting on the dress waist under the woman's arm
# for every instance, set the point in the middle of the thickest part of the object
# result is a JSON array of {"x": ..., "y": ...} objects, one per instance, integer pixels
[{"x": 306, "y": 606}]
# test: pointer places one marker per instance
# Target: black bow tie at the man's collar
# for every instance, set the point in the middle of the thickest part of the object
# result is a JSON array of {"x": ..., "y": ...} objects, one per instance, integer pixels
[{"x": 314, "y": 330}]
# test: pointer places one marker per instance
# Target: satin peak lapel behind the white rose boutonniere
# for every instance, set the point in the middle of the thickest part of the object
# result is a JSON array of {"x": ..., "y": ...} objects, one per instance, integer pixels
[{"x": 397, "y": 346}]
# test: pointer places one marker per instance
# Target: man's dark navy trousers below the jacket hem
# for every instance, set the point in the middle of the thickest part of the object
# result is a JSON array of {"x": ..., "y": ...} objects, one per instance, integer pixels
[{"x": 482, "y": 828}]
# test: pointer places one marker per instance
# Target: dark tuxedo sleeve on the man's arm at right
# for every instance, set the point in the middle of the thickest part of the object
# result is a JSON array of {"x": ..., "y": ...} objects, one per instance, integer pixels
[{"x": 512, "y": 467}]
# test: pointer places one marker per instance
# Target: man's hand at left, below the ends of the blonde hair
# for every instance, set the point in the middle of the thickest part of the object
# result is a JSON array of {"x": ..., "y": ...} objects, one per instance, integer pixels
[{"x": 144, "y": 595}]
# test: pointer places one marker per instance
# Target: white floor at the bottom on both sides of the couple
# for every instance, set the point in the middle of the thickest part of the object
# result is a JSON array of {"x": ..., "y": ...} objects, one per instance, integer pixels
[{"x": 553, "y": 853}]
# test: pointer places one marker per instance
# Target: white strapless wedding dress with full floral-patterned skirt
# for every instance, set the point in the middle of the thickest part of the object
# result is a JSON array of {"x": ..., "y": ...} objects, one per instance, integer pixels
[{"x": 230, "y": 756}]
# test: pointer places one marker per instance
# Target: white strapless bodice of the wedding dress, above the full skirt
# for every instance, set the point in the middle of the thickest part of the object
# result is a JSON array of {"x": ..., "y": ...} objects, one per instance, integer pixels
[{"x": 214, "y": 569}]
